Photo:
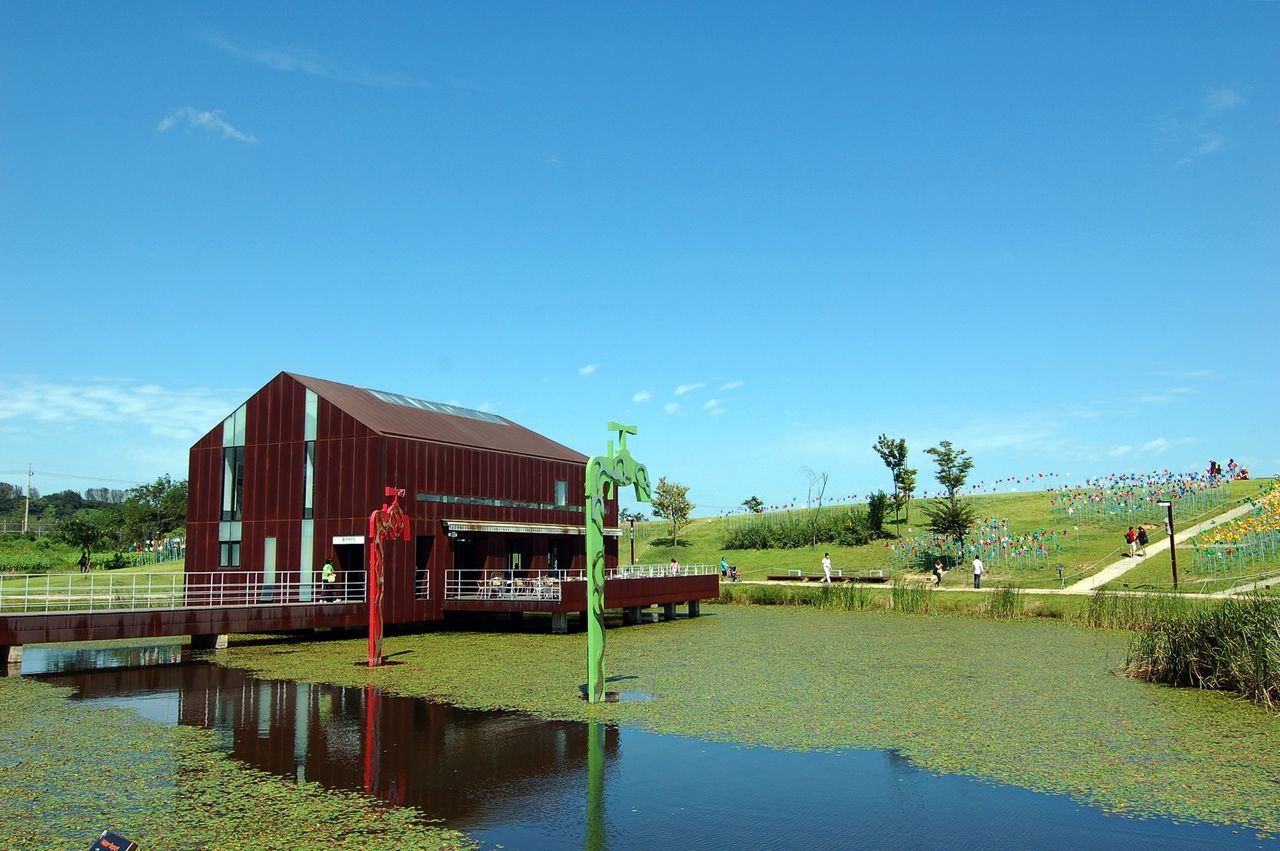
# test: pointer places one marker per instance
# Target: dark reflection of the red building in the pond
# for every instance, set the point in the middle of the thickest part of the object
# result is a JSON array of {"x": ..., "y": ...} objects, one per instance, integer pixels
[{"x": 465, "y": 767}]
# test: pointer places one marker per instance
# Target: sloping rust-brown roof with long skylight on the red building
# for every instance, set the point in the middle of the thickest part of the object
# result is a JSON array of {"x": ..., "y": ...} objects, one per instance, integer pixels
[{"x": 397, "y": 417}]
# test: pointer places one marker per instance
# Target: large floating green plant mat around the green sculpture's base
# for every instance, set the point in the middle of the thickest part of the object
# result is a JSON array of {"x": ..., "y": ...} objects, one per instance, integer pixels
[{"x": 1035, "y": 703}]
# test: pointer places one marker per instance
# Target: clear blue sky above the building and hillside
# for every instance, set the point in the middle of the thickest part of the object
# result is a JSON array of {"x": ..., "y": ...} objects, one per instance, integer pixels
[{"x": 765, "y": 234}]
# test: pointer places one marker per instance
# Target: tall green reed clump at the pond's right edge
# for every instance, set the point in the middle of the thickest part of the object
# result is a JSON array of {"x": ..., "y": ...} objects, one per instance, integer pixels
[{"x": 1233, "y": 647}]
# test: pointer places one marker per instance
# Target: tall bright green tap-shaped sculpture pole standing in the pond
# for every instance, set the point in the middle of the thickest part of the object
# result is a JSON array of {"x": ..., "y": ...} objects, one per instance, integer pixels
[{"x": 605, "y": 475}]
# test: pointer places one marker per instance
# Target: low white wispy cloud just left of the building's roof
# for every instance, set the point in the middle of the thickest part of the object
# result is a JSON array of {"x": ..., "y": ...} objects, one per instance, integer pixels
[{"x": 164, "y": 413}]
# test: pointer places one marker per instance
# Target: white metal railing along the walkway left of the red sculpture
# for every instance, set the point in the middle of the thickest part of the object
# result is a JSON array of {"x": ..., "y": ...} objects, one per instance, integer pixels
[{"x": 53, "y": 593}]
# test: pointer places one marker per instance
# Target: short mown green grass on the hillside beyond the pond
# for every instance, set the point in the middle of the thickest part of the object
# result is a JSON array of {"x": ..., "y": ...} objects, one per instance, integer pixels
[{"x": 1092, "y": 547}]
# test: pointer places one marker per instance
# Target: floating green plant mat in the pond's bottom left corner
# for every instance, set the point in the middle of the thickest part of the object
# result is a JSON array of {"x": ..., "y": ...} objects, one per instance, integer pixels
[{"x": 70, "y": 771}]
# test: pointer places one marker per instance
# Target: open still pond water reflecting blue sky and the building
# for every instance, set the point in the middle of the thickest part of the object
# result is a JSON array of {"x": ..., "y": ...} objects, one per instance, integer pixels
[{"x": 519, "y": 783}]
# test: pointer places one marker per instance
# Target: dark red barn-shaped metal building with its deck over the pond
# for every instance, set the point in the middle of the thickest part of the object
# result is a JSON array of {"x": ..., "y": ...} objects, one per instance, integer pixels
[{"x": 496, "y": 511}]
